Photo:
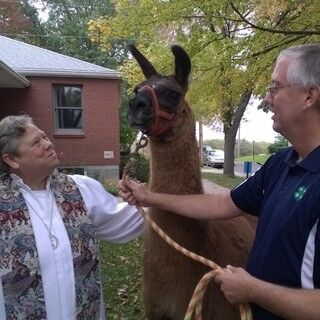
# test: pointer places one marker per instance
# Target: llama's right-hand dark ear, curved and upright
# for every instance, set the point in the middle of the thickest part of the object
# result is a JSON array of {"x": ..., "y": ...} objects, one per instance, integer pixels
[{"x": 182, "y": 65}]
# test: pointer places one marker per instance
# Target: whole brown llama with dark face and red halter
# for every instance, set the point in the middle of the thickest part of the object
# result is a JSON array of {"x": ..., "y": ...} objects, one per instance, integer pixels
[{"x": 159, "y": 110}]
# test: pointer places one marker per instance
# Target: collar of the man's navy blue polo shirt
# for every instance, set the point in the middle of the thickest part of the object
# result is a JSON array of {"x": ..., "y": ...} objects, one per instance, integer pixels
[{"x": 310, "y": 163}]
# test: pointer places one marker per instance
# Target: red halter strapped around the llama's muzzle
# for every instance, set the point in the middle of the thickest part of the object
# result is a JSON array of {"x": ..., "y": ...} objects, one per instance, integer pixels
[{"x": 169, "y": 118}]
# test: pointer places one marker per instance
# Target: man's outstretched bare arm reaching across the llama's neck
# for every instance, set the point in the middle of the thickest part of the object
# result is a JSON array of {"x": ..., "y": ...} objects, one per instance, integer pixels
[{"x": 200, "y": 206}]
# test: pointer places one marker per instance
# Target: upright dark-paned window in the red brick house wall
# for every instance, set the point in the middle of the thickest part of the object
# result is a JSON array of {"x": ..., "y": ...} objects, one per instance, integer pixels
[{"x": 68, "y": 107}]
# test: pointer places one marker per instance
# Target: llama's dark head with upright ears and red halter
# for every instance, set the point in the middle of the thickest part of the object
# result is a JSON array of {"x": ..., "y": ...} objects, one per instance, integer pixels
[{"x": 159, "y": 102}]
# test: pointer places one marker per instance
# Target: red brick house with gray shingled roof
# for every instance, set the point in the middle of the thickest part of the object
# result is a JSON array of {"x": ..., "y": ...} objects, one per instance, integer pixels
[{"x": 75, "y": 102}]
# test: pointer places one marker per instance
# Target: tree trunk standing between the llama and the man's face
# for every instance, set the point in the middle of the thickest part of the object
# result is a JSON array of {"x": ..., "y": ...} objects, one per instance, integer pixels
[{"x": 230, "y": 132}]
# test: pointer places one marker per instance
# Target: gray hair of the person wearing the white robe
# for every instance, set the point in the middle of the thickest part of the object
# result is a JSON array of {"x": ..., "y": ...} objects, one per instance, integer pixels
[{"x": 12, "y": 128}]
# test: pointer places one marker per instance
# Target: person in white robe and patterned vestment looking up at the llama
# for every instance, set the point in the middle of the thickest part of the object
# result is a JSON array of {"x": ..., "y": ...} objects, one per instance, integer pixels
[{"x": 49, "y": 227}]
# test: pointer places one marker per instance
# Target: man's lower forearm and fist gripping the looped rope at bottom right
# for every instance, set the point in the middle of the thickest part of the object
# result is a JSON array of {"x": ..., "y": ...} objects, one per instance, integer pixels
[{"x": 295, "y": 304}]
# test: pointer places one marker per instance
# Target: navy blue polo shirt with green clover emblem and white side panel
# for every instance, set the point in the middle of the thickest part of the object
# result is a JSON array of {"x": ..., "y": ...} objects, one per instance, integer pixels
[{"x": 285, "y": 195}]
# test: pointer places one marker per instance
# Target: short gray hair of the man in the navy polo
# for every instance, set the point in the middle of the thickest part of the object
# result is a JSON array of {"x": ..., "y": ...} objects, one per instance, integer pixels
[{"x": 304, "y": 65}]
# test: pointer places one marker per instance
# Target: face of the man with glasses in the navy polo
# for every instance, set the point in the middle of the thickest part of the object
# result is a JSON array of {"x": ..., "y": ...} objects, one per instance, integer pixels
[{"x": 286, "y": 100}]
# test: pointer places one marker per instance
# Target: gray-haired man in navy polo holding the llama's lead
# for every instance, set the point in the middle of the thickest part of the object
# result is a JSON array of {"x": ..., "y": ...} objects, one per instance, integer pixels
[{"x": 282, "y": 280}]
